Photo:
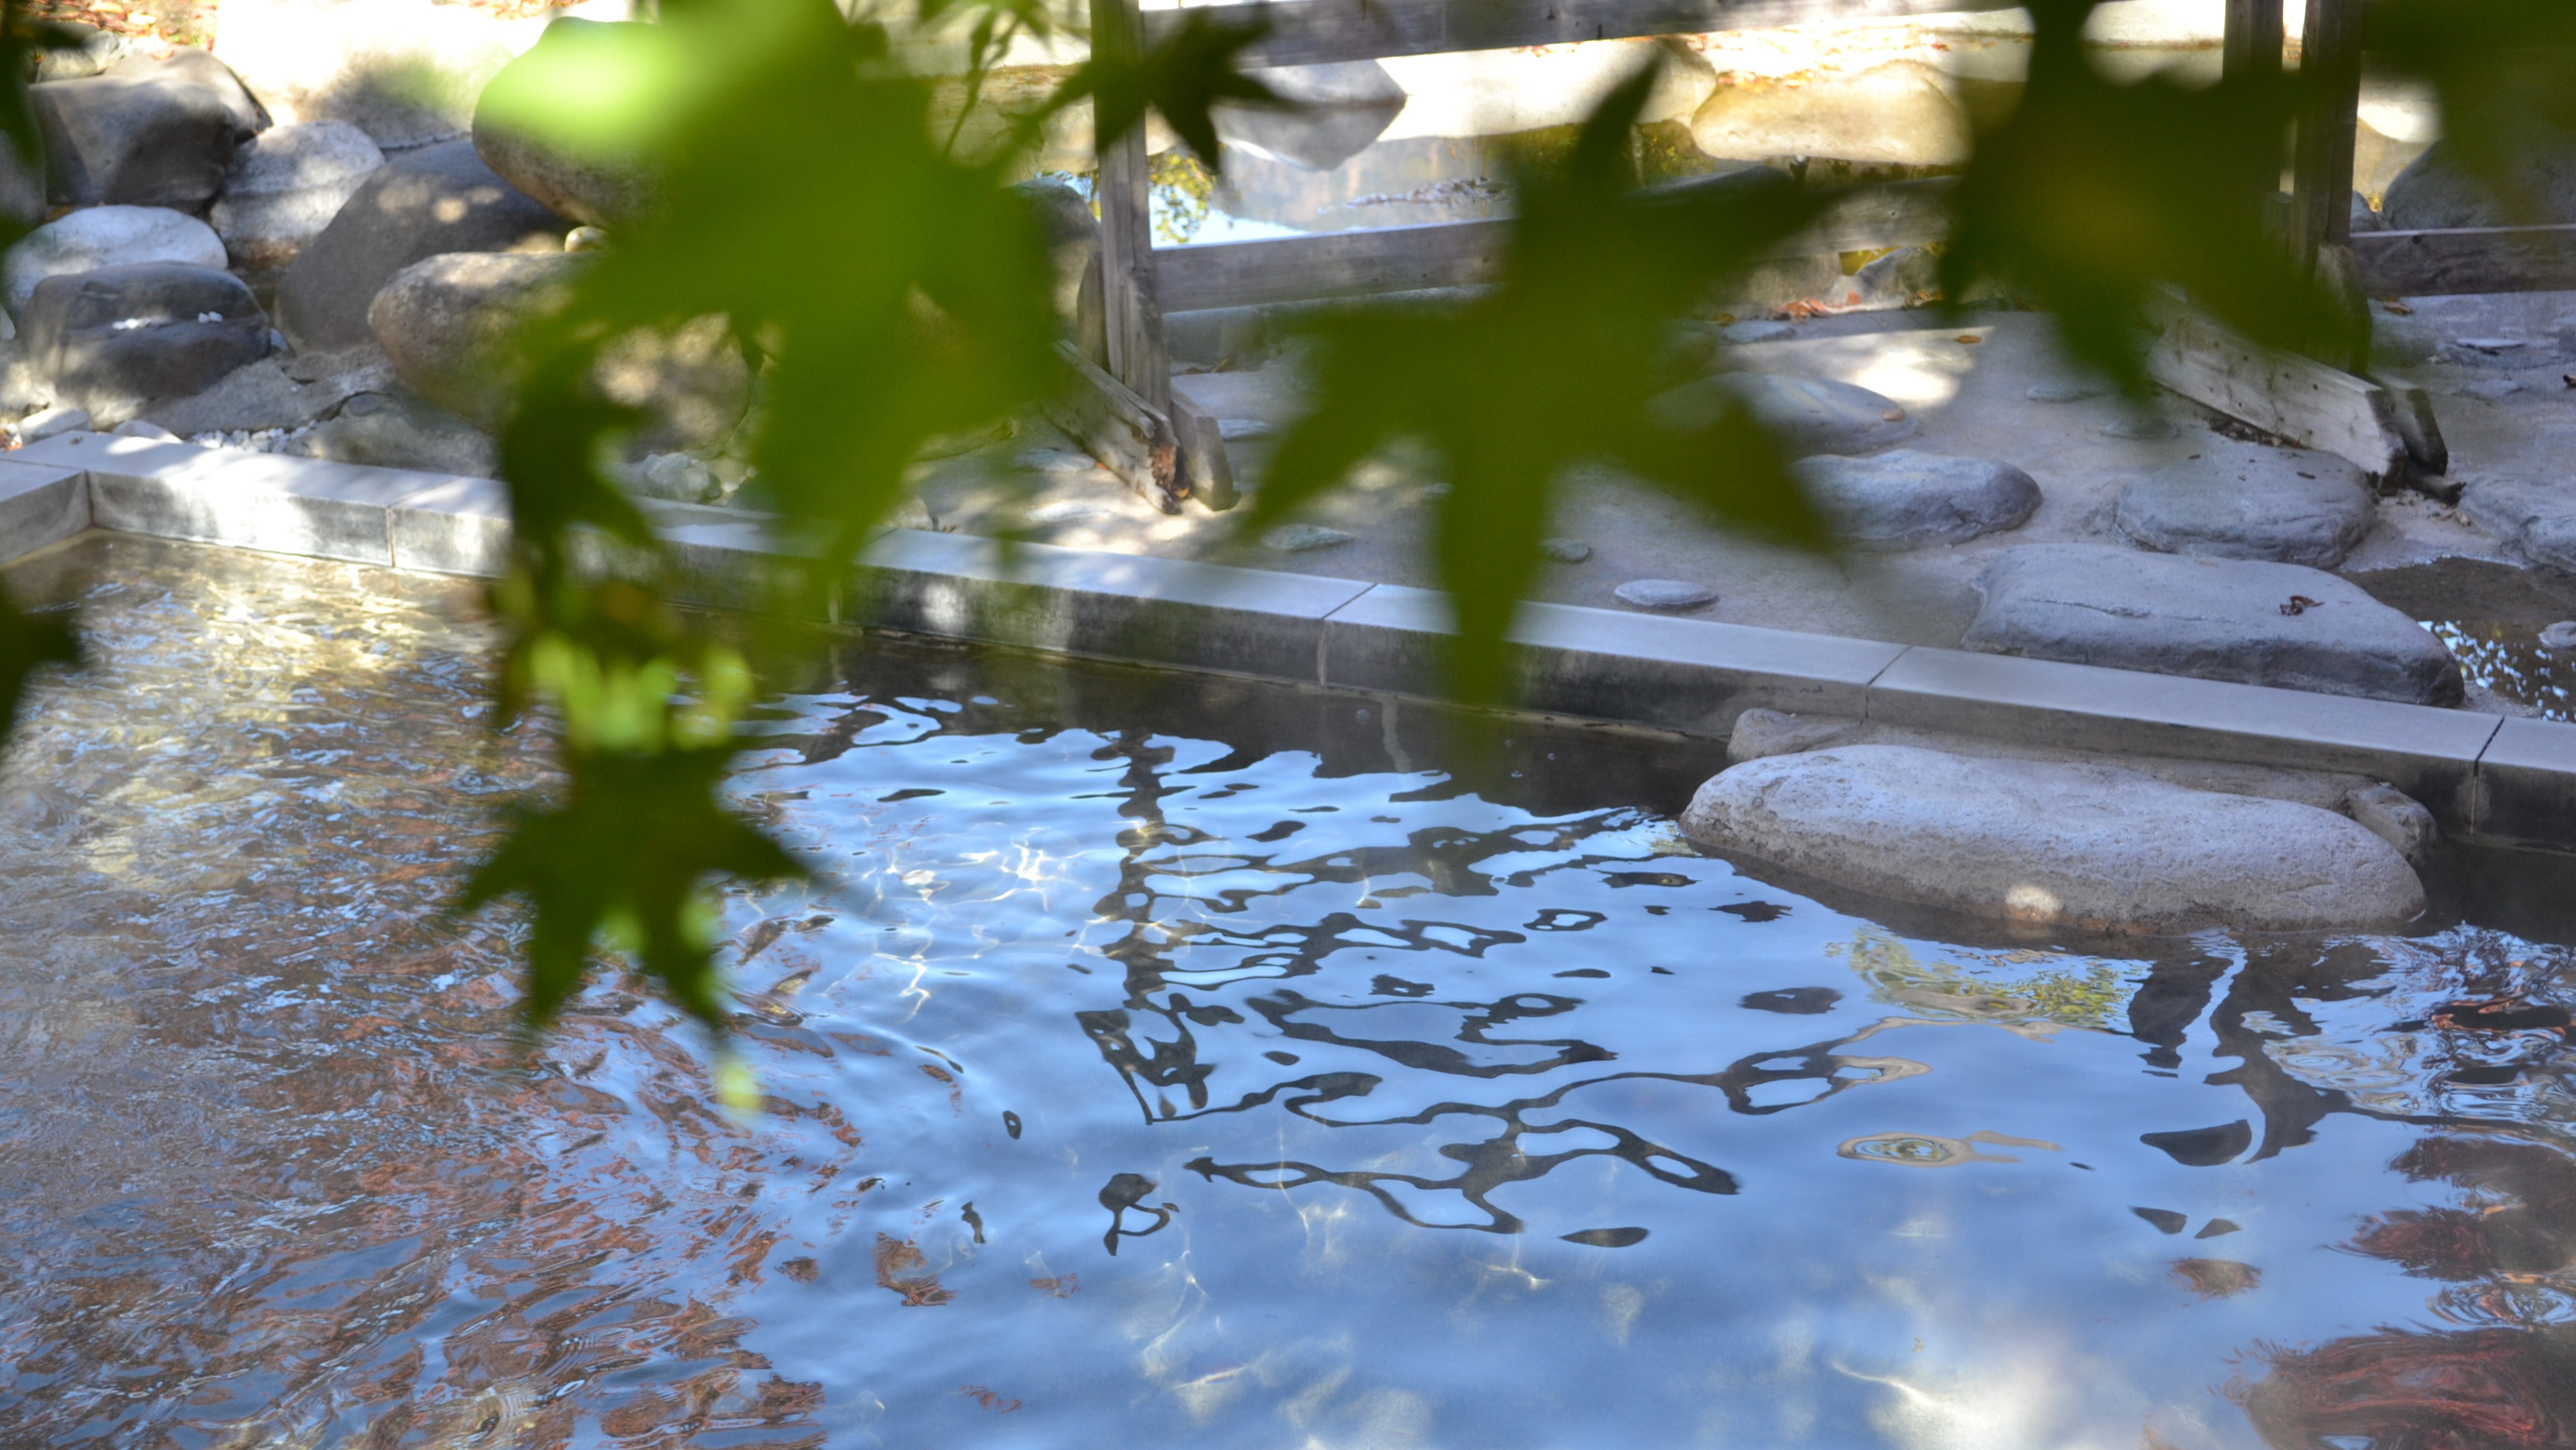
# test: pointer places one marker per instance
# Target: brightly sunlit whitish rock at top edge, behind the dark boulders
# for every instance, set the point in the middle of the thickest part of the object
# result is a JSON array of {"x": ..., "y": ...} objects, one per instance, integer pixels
[{"x": 401, "y": 71}]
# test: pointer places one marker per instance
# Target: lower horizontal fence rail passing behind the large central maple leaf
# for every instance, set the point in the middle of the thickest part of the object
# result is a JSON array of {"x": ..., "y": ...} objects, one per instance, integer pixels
[{"x": 1464, "y": 254}]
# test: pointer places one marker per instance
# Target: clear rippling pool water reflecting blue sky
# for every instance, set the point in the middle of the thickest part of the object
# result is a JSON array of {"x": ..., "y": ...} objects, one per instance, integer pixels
[{"x": 1176, "y": 1062}]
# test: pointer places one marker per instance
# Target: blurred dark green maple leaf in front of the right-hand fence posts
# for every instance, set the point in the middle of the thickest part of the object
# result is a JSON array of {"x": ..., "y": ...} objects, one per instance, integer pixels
[{"x": 2096, "y": 192}]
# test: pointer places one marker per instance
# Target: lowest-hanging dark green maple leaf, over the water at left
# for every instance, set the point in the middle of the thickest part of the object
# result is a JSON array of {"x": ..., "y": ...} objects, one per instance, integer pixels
[{"x": 627, "y": 856}]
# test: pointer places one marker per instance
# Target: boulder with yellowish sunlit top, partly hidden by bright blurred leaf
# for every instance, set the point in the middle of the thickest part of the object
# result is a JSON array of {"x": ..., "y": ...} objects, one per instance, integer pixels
[{"x": 599, "y": 189}]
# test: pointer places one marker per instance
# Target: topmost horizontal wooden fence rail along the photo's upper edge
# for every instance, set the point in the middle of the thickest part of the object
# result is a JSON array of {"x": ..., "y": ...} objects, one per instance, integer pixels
[{"x": 1318, "y": 32}]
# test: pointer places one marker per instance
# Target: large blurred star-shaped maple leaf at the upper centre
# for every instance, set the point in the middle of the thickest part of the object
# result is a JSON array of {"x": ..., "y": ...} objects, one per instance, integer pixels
[{"x": 1560, "y": 367}]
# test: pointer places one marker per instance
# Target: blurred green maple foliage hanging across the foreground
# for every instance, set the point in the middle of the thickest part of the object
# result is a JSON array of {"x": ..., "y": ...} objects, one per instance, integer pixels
[{"x": 890, "y": 290}]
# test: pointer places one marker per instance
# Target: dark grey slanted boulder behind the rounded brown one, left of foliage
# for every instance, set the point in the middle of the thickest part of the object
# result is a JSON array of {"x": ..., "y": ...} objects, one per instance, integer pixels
[{"x": 421, "y": 205}]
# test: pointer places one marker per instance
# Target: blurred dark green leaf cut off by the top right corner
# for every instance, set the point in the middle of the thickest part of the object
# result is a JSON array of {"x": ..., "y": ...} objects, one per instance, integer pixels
[{"x": 2505, "y": 73}]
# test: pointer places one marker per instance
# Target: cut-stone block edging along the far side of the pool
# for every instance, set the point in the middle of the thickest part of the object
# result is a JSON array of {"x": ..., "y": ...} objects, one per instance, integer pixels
[{"x": 2482, "y": 777}]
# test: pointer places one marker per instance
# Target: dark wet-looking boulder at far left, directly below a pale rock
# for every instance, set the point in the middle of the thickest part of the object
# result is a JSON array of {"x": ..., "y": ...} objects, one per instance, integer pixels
[{"x": 117, "y": 339}]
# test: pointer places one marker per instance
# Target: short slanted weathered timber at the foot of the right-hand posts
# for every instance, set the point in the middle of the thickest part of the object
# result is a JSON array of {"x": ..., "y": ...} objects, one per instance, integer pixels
[{"x": 2297, "y": 398}]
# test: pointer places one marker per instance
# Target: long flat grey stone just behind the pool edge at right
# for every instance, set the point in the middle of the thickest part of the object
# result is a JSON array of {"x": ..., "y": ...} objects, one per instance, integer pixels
[{"x": 2217, "y": 619}]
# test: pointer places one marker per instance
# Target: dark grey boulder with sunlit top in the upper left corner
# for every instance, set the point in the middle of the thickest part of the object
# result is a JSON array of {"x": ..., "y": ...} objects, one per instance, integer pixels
[{"x": 146, "y": 133}]
